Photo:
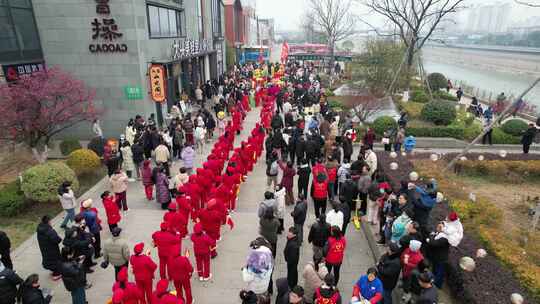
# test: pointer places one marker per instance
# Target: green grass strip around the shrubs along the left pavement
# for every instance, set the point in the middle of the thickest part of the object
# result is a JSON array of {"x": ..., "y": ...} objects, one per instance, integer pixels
[{"x": 20, "y": 227}]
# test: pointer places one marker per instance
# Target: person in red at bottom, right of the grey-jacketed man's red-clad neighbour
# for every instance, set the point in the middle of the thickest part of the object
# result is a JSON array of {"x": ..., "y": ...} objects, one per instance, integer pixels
[{"x": 180, "y": 272}]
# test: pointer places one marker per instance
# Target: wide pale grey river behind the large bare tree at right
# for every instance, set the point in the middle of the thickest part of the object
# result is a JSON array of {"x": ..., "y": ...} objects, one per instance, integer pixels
[{"x": 490, "y": 77}]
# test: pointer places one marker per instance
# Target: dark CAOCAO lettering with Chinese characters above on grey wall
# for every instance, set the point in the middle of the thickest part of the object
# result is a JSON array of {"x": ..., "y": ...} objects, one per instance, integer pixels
[{"x": 106, "y": 29}]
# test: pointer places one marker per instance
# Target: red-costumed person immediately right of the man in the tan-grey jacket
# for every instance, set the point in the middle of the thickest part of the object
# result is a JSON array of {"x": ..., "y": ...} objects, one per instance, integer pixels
[{"x": 143, "y": 270}]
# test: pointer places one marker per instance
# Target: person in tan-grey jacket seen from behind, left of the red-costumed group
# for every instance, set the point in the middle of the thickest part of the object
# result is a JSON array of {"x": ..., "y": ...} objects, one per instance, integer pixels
[{"x": 116, "y": 251}]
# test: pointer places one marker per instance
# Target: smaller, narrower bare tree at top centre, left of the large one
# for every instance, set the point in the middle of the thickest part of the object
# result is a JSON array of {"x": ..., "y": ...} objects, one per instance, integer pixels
[{"x": 334, "y": 19}]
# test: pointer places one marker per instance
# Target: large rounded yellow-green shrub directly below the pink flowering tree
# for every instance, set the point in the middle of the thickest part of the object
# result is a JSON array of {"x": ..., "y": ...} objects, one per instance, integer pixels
[{"x": 40, "y": 183}]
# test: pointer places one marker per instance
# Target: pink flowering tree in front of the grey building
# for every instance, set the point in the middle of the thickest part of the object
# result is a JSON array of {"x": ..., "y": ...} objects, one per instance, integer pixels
[{"x": 41, "y": 105}]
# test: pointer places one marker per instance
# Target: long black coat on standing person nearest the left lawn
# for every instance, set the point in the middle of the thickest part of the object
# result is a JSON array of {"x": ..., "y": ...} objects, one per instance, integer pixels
[{"x": 48, "y": 241}]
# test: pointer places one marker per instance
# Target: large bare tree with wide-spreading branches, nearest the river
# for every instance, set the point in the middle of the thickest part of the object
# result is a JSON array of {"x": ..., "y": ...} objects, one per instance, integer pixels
[{"x": 415, "y": 20}]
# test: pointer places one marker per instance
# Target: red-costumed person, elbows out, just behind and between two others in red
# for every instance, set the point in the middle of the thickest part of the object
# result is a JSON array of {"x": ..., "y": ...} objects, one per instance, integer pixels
[{"x": 167, "y": 243}]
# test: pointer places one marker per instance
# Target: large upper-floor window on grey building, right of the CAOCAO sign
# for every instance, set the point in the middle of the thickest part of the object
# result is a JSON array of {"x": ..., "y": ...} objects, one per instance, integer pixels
[{"x": 165, "y": 22}]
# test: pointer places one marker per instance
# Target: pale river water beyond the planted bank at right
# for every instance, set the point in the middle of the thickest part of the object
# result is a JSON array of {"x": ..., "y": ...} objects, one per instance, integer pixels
[{"x": 487, "y": 81}]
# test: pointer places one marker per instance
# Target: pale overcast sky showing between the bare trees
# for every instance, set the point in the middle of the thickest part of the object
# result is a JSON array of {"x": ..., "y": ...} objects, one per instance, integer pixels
[{"x": 288, "y": 13}]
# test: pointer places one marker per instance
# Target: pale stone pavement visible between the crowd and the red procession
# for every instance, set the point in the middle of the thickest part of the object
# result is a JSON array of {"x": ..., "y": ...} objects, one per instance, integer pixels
[{"x": 144, "y": 218}]
